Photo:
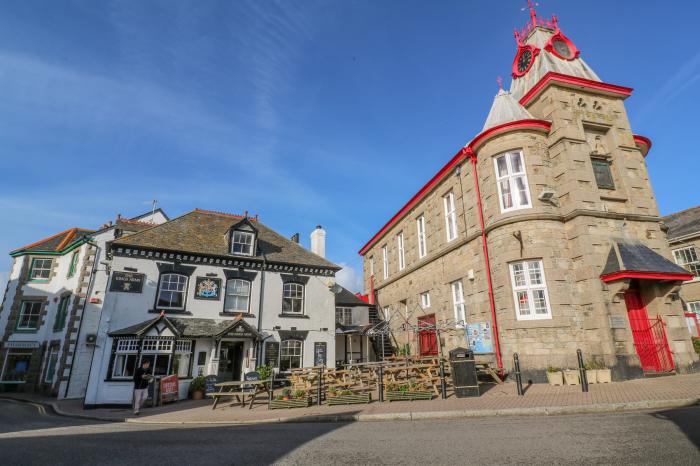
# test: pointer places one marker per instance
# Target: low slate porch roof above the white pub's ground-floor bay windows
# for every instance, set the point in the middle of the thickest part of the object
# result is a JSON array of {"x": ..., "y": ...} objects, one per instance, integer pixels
[{"x": 186, "y": 327}]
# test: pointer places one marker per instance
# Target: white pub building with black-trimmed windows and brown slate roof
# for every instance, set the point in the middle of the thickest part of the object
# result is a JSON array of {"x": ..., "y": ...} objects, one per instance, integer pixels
[{"x": 210, "y": 293}]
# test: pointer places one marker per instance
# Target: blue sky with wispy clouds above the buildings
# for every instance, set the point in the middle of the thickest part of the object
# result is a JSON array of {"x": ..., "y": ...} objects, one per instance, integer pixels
[{"x": 308, "y": 112}]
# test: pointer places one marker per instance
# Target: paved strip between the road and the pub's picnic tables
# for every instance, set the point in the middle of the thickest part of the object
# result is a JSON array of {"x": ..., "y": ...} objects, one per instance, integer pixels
[{"x": 662, "y": 392}]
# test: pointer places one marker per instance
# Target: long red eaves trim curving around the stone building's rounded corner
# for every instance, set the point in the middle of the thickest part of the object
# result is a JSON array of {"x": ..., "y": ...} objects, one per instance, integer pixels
[{"x": 478, "y": 141}]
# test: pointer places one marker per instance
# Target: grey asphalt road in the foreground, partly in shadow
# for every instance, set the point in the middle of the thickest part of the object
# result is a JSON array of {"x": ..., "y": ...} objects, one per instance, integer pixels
[{"x": 670, "y": 437}]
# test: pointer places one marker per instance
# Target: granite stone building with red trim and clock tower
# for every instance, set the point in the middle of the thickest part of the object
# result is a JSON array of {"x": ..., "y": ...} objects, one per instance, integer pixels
[{"x": 541, "y": 235}]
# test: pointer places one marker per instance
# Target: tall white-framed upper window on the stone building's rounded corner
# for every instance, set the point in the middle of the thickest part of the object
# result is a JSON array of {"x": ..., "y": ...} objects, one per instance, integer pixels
[{"x": 513, "y": 190}]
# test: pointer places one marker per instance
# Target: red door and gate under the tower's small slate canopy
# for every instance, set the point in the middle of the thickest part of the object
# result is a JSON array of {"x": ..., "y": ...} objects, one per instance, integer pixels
[{"x": 649, "y": 335}]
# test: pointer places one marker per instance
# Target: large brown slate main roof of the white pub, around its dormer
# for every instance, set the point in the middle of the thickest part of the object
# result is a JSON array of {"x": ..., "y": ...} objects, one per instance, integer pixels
[{"x": 207, "y": 233}]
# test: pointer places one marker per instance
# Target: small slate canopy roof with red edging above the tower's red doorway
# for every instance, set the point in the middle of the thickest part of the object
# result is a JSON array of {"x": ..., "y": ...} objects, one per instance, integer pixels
[{"x": 634, "y": 256}]
